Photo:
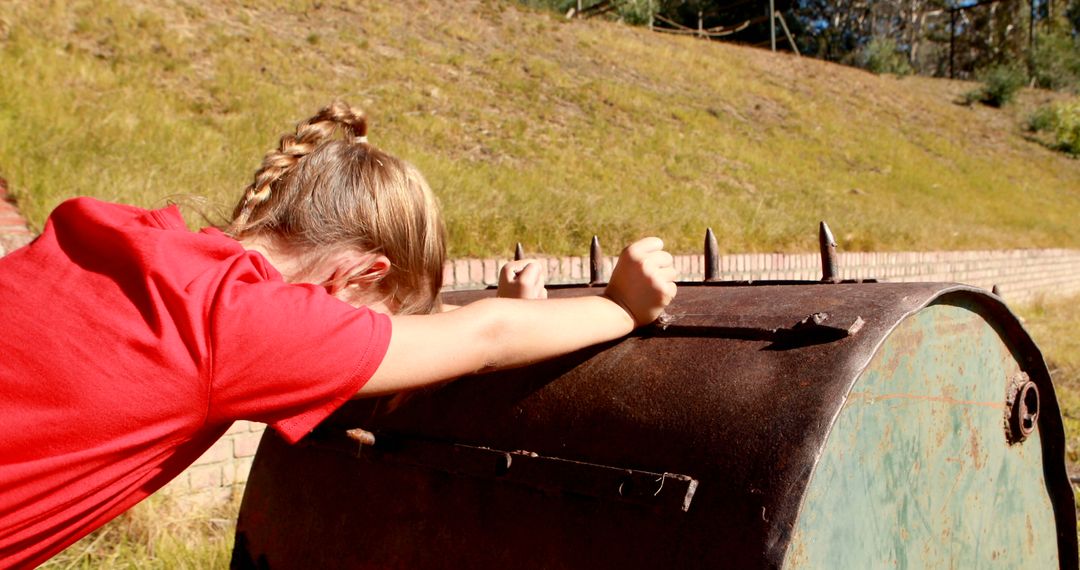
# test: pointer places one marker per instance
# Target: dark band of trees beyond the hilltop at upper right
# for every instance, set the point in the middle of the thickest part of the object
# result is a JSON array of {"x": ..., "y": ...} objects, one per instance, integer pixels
[{"x": 936, "y": 37}]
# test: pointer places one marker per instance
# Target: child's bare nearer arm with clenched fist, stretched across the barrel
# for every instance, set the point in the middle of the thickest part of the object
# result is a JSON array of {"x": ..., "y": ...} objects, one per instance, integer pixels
[{"x": 495, "y": 334}]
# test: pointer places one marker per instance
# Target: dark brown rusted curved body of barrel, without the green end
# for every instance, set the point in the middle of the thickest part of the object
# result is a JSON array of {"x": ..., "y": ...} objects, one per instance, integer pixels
[{"x": 684, "y": 446}]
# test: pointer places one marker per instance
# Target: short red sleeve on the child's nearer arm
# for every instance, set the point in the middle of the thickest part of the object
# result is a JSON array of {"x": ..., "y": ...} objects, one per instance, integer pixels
[{"x": 288, "y": 355}]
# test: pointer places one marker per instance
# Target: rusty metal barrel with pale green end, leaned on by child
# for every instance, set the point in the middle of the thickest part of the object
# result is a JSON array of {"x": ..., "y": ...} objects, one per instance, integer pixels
[{"x": 762, "y": 426}]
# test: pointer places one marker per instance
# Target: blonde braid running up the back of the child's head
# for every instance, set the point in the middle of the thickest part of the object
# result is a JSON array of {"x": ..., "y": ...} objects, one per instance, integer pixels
[{"x": 292, "y": 148}]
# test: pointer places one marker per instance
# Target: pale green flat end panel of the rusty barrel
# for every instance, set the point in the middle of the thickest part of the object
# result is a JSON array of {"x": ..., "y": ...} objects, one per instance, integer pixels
[{"x": 917, "y": 471}]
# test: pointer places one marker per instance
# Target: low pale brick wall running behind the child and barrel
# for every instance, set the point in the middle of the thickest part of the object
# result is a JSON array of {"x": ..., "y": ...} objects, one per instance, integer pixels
[{"x": 1021, "y": 276}]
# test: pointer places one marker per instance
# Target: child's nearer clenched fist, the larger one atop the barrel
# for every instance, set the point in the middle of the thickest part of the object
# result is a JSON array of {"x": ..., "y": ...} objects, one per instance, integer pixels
[{"x": 643, "y": 282}]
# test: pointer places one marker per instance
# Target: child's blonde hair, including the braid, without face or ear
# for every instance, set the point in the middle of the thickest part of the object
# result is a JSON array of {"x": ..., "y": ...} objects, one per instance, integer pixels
[{"x": 319, "y": 196}]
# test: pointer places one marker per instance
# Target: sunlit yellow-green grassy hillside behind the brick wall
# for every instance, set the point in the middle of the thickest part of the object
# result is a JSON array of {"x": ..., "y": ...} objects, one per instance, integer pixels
[{"x": 530, "y": 128}]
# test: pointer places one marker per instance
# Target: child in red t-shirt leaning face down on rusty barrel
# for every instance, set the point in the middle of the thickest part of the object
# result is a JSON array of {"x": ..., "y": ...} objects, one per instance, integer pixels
[{"x": 131, "y": 345}]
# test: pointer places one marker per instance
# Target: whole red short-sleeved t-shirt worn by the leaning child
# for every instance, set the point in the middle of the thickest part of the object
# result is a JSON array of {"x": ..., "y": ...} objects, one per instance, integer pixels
[{"x": 129, "y": 345}]
